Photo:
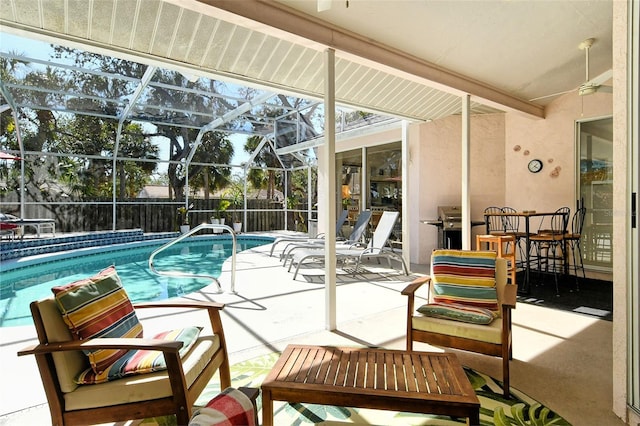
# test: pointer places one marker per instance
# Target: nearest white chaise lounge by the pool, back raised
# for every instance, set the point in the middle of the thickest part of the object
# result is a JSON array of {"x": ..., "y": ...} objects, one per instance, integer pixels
[{"x": 376, "y": 248}]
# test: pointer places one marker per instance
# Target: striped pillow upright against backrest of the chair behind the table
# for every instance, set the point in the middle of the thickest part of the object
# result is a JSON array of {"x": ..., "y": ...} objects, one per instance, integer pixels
[{"x": 465, "y": 278}]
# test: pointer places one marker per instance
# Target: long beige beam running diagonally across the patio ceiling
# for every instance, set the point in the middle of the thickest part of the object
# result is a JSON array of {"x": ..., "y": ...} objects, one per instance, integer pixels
[{"x": 281, "y": 21}]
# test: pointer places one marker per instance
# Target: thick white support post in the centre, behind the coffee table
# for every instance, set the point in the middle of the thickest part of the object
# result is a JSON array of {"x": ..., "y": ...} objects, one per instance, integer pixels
[{"x": 329, "y": 172}]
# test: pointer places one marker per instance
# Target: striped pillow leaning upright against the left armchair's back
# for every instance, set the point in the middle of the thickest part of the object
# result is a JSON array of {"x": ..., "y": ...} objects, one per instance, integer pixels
[{"x": 98, "y": 307}]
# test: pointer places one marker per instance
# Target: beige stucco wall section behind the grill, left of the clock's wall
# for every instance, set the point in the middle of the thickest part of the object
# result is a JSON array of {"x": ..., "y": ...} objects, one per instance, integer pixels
[{"x": 436, "y": 175}]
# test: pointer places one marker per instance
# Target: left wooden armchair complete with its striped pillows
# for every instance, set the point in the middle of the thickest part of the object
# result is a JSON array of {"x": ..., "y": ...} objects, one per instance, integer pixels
[{"x": 64, "y": 357}]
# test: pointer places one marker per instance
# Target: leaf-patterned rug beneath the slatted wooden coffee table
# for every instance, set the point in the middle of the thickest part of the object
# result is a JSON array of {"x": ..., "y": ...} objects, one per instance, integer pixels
[{"x": 495, "y": 410}]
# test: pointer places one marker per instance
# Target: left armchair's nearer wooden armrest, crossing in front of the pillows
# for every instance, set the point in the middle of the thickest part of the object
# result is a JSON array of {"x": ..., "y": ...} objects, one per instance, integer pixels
[{"x": 165, "y": 346}]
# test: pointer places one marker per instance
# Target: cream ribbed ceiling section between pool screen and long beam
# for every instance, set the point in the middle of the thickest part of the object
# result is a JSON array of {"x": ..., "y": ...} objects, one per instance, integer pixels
[{"x": 168, "y": 31}]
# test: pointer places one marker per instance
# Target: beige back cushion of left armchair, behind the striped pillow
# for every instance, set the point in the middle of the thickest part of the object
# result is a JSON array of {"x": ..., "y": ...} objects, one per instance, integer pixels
[{"x": 51, "y": 328}]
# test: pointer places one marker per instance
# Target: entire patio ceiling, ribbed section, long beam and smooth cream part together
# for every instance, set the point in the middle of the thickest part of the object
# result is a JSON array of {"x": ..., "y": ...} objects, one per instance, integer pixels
[{"x": 501, "y": 53}]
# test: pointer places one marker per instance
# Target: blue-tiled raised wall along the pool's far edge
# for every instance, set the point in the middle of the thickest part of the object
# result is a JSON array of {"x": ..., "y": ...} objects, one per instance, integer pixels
[{"x": 16, "y": 249}]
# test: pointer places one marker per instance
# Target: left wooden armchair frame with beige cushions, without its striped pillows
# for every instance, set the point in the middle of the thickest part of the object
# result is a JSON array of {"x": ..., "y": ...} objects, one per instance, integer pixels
[{"x": 61, "y": 359}]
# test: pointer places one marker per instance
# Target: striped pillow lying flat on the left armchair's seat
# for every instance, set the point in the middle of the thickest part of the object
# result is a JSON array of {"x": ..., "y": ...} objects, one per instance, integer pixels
[{"x": 141, "y": 361}]
